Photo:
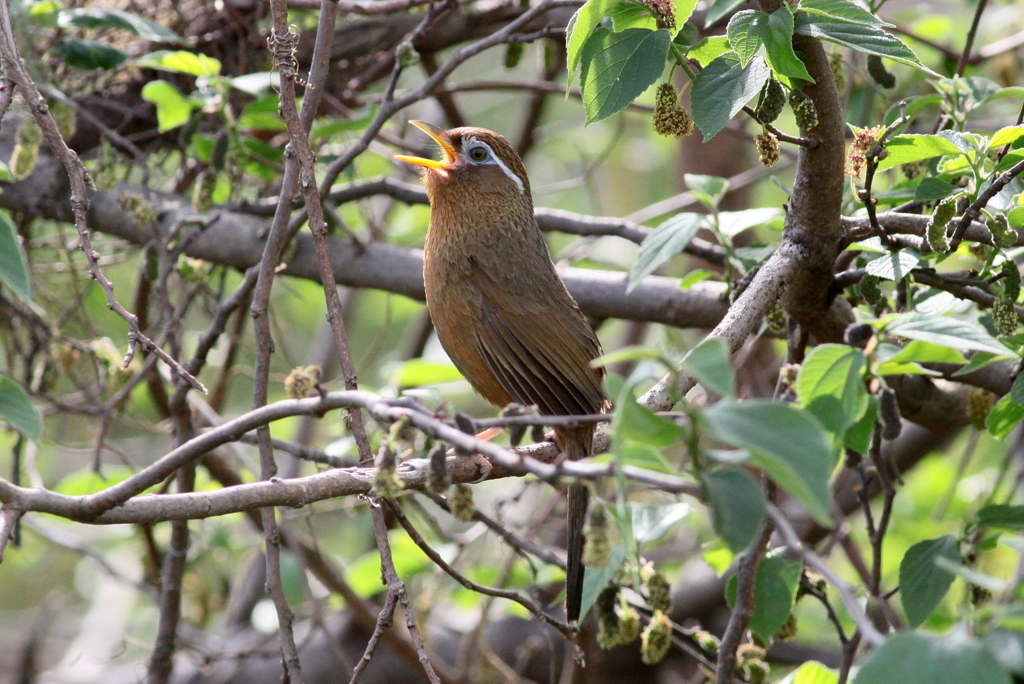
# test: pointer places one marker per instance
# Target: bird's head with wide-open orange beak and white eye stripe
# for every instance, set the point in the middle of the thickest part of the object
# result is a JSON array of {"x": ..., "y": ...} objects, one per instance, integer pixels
[{"x": 476, "y": 161}]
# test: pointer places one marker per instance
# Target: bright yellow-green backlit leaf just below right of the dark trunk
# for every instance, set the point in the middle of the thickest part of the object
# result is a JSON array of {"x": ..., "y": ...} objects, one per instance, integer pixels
[{"x": 832, "y": 387}]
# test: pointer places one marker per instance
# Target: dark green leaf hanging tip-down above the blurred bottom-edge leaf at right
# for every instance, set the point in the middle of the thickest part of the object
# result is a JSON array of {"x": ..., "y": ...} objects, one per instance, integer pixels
[{"x": 923, "y": 585}]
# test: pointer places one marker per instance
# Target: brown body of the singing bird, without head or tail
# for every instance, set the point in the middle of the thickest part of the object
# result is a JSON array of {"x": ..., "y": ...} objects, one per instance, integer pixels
[{"x": 503, "y": 315}]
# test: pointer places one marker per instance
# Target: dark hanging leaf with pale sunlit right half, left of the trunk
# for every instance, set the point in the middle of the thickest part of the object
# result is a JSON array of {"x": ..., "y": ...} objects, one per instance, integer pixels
[{"x": 722, "y": 90}]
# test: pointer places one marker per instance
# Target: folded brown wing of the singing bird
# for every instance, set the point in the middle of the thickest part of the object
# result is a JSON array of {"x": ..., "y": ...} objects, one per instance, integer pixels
[{"x": 540, "y": 349}]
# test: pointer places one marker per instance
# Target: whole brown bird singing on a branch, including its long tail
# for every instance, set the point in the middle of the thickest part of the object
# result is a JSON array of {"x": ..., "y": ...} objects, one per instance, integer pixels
[{"x": 500, "y": 310}]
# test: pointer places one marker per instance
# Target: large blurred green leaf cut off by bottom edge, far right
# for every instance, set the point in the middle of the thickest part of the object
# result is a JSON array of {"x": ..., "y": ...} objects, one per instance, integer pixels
[{"x": 909, "y": 658}]
